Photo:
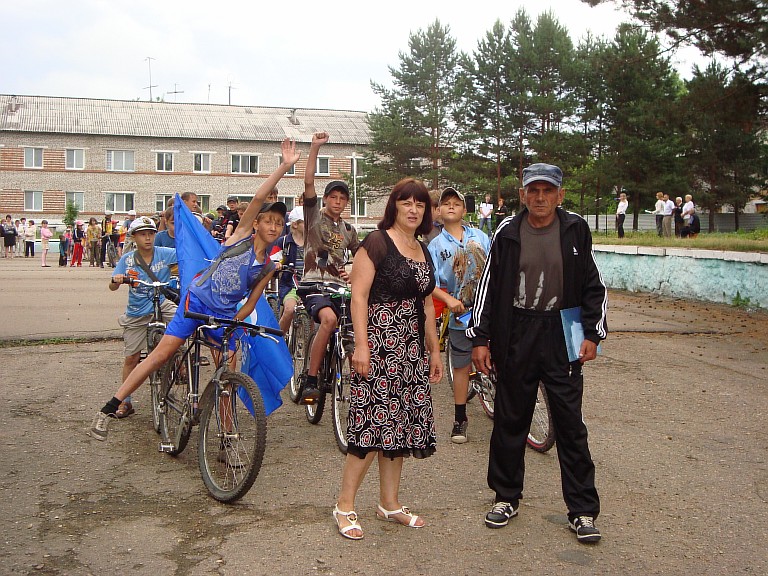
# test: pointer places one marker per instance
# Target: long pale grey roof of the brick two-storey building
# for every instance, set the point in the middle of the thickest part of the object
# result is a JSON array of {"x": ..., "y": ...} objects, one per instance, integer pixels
[{"x": 50, "y": 114}]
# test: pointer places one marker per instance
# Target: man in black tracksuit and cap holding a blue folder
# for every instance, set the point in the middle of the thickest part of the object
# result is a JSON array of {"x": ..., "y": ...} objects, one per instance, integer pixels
[{"x": 540, "y": 263}]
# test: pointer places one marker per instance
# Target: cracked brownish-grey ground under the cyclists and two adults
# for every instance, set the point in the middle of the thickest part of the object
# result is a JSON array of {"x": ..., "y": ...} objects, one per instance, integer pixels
[{"x": 676, "y": 407}]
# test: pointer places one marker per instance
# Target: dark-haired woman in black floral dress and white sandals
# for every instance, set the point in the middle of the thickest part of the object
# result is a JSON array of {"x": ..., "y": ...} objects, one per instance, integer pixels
[{"x": 390, "y": 414}]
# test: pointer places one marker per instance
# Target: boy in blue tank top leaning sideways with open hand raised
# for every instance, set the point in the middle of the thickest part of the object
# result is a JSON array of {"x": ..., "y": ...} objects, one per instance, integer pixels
[{"x": 242, "y": 269}]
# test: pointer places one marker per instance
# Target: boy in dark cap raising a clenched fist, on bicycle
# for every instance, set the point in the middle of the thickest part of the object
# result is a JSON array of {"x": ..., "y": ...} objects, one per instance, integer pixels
[{"x": 328, "y": 238}]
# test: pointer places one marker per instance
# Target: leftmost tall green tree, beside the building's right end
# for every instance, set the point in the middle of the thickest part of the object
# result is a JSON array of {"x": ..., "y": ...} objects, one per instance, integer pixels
[{"x": 415, "y": 131}]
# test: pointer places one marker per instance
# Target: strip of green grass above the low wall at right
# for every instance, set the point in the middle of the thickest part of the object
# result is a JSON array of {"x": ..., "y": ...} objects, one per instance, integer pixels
[{"x": 754, "y": 241}]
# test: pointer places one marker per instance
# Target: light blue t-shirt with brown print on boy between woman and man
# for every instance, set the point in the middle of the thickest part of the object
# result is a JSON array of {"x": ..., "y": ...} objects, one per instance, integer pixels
[{"x": 459, "y": 265}]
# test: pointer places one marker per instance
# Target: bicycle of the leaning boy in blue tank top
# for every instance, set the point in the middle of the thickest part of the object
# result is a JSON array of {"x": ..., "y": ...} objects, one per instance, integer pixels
[{"x": 229, "y": 412}]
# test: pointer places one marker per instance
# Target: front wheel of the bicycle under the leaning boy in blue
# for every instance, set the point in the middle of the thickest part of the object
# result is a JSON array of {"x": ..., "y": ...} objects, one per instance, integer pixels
[{"x": 233, "y": 436}]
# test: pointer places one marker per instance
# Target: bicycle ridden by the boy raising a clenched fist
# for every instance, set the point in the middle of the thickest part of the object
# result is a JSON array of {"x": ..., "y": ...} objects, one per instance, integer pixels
[{"x": 335, "y": 373}]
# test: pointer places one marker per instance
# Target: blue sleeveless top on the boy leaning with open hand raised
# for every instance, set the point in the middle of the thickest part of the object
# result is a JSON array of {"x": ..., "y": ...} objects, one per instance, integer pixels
[{"x": 230, "y": 282}]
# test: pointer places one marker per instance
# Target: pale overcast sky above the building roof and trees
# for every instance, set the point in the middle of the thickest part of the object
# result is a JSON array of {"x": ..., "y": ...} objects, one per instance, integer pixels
[{"x": 272, "y": 53}]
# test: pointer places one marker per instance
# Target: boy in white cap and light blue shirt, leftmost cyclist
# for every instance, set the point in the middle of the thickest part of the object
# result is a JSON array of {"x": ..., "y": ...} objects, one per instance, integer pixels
[{"x": 138, "y": 314}]
